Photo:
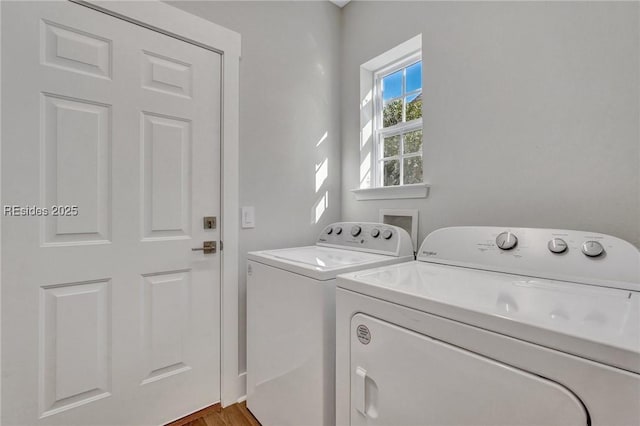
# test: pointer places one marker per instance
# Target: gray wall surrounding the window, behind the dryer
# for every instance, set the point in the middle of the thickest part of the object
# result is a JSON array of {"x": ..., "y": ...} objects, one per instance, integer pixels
[{"x": 531, "y": 113}]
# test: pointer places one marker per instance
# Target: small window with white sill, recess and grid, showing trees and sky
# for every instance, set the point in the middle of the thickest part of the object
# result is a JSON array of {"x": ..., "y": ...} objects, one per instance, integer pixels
[{"x": 391, "y": 146}]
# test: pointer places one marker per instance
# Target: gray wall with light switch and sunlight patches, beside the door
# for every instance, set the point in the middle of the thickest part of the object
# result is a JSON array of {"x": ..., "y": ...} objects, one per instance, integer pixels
[{"x": 289, "y": 98}]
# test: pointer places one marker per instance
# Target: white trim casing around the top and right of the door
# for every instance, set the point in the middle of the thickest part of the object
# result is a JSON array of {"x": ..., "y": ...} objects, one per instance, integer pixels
[{"x": 190, "y": 28}]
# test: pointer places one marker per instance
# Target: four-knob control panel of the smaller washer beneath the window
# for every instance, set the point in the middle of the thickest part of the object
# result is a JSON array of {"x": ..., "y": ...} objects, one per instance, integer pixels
[{"x": 370, "y": 237}]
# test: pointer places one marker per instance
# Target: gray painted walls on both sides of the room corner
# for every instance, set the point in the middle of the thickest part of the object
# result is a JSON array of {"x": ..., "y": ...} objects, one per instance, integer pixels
[{"x": 531, "y": 113}]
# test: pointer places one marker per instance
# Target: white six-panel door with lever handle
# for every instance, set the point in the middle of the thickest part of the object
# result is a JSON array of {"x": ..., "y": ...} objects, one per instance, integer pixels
[{"x": 108, "y": 316}]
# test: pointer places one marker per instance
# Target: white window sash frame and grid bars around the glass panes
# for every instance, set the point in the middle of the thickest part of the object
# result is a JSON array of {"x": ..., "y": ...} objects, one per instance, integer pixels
[{"x": 398, "y": 129}]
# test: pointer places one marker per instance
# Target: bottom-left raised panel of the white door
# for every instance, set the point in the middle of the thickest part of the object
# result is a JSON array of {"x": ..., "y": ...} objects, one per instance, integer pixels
[{"x": 75, "y": 366}]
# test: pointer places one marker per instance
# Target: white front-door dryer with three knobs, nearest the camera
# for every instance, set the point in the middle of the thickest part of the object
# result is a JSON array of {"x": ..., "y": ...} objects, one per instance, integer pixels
[{"x": 493, "y": 326}]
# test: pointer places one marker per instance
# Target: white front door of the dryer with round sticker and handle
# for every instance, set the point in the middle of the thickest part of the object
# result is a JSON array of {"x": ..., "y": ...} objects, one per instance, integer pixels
[{"x": 399, "y": 377}]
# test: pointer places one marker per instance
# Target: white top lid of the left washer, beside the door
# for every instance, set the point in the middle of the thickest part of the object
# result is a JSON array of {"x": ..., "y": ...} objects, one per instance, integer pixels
[{"x": 322, "y": 263}]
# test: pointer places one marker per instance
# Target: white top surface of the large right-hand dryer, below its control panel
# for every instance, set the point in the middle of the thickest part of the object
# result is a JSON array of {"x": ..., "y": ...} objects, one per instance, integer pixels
[{"x": 598, "y": 323}]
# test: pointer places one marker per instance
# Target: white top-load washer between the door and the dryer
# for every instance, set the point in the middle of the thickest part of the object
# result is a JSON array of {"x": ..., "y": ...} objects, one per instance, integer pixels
[{"x": 291, "y": 319}]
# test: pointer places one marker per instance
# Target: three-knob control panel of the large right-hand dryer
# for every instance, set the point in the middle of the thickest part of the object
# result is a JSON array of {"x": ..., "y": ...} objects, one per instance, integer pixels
[{"x": 577, "y": 256}]
